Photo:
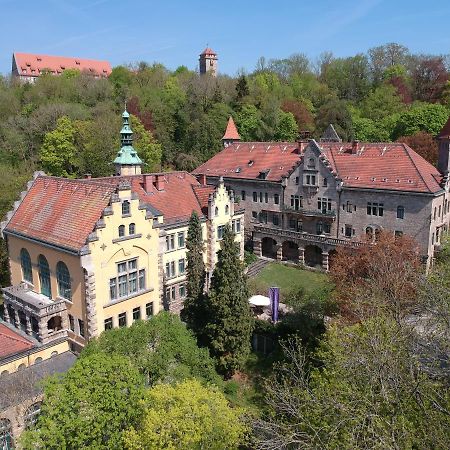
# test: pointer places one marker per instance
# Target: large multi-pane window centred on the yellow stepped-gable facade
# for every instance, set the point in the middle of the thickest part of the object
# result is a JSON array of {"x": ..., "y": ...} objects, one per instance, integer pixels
[{"x": 129, "y": 281}]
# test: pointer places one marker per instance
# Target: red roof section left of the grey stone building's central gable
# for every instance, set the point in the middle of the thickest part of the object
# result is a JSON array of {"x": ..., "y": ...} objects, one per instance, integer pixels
[{"x": 248, "y": 159}]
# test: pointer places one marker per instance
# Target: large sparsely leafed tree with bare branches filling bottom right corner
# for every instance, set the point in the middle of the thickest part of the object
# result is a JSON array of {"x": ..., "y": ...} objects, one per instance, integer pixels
[{"x": 370, "y": 390}]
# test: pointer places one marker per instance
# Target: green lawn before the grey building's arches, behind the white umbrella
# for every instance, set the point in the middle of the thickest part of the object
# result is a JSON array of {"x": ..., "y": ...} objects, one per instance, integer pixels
[{"x": 288, "y": 278}]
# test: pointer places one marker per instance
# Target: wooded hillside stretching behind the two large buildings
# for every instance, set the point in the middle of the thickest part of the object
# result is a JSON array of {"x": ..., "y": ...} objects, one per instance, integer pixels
[{"x": 69, "y": 125}]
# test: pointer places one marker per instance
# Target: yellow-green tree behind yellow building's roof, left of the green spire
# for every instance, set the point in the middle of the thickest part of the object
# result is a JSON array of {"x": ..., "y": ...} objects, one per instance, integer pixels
[{"x": 59, "y": 155}]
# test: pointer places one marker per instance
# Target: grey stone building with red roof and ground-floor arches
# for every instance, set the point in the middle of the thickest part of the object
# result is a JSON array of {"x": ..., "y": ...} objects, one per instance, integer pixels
[{"x": 304, "y": 199}]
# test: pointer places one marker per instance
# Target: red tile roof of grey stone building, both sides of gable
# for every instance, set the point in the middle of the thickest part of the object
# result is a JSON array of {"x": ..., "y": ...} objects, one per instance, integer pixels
[{"x": 392, "y": 166}]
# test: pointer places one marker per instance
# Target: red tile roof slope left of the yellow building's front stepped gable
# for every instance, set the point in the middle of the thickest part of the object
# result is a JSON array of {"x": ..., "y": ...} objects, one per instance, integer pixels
[{"x": 60, "y": 211}]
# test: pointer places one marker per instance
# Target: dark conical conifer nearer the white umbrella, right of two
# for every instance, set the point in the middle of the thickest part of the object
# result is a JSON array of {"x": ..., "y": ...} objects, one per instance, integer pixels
[{"x": 229, "y": 322}]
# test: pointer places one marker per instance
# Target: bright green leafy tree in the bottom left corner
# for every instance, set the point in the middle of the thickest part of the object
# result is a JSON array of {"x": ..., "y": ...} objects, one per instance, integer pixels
[{"x": 89, "y": 406}]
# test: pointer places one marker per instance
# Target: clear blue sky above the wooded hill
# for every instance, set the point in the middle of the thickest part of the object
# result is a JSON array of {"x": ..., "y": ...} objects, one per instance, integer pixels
[{"x": 174, "y": 32}]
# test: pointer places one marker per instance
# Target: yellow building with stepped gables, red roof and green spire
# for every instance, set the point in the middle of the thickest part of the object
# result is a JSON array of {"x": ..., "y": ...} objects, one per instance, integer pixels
[{"x": 87, "y": 255}]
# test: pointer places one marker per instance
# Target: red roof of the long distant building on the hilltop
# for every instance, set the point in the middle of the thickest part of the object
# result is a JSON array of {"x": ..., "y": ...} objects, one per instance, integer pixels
[{"x": 29, "y": 64}]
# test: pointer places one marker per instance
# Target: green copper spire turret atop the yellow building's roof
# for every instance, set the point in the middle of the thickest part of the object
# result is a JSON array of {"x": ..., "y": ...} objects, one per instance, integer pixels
[{"x": 127, "y": 161}]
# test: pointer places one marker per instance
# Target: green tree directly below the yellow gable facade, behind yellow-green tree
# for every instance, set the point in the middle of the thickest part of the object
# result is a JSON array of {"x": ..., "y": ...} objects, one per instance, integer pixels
[{"x": 161, "y": 349}]
